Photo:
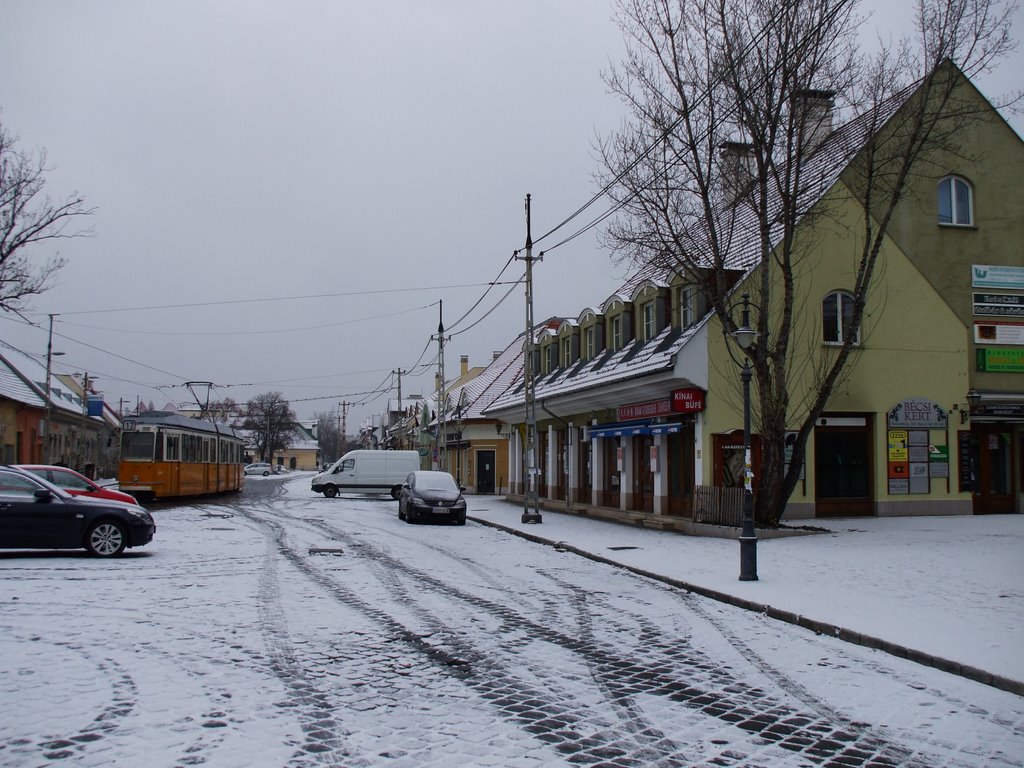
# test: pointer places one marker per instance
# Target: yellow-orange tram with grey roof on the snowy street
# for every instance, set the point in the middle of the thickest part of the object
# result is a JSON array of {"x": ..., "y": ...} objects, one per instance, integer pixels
[{"x": 164, "y": 456}]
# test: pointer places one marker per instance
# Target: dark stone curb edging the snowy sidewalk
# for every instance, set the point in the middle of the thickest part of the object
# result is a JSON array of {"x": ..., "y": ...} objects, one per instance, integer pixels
[{"x": 822, "y": 628}]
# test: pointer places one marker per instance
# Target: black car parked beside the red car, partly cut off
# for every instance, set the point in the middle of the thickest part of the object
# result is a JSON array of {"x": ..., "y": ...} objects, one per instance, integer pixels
[{"x": 36, "y": 515}]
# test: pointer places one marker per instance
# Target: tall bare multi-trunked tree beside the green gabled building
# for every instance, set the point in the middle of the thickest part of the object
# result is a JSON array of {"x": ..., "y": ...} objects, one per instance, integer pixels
[{"x": 721, "y": 172}]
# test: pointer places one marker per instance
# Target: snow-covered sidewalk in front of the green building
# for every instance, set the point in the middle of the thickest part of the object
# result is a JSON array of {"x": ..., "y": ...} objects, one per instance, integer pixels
[{"x": 950, "y": 587}]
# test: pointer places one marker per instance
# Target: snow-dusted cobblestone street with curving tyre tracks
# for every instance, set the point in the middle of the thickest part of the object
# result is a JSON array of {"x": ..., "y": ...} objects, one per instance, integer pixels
[{"x": 280, "y": 628}]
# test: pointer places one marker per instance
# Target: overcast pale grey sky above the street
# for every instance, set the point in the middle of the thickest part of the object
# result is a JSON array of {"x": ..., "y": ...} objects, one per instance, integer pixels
[{"x": 322, "y": 173}]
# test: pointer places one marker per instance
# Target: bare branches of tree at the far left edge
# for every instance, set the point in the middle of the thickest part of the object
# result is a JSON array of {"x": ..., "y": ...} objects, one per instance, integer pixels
[{"x": 29, "y": 218}]
